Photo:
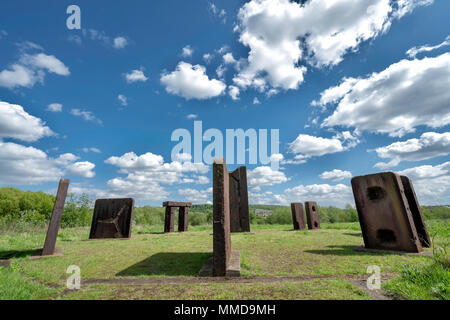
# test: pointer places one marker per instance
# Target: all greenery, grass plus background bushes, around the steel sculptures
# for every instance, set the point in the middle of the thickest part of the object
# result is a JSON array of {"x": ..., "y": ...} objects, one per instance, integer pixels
[{"x": 273, "y": 249}]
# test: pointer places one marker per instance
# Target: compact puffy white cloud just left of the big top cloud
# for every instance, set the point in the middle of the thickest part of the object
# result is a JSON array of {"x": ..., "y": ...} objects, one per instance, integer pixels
[{"x": 191, "y": 82}]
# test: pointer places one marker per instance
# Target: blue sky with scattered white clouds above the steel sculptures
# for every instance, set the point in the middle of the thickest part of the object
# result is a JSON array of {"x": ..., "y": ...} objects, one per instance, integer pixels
[{"x": 354, "y": 87}]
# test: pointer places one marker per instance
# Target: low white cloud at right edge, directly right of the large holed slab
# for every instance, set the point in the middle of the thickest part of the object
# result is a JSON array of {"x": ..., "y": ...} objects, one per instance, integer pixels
[{"x": 431, "y": 183}]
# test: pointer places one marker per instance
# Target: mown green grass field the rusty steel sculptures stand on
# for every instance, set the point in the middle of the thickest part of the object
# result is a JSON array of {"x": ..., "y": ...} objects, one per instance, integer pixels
[{"x": 276, "y": 263}]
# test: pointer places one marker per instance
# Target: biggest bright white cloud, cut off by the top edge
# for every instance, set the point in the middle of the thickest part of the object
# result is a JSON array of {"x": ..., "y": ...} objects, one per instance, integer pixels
[{"x": 282, "y": 35}]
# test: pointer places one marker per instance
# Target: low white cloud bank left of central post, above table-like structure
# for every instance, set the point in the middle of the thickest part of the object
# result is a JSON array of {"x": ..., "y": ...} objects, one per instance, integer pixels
[{"x": 147, "y": 175}]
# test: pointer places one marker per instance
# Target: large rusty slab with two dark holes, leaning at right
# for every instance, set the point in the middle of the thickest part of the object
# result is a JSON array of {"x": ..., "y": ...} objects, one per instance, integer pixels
[{"x": 384, "y": 213}]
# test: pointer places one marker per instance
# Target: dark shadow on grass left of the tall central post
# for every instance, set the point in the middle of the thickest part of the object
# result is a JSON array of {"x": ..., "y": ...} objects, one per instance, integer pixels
[{"x": 168, "y": 264}]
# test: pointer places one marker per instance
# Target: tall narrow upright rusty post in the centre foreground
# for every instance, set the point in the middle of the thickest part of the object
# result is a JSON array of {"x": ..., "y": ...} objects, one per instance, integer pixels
[{"x": 221, "y": 218}]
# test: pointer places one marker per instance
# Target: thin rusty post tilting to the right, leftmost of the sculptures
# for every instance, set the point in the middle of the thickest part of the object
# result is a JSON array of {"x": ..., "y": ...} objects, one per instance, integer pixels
[{"x": 55, "y": 220}]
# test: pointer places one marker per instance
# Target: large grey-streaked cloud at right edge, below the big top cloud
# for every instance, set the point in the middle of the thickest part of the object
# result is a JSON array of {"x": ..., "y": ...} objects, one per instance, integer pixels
[{"x": 407, "y": 94}]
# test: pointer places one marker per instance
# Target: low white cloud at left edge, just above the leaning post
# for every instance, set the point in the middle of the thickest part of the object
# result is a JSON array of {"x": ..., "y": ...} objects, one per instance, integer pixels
[{"x": 20, "y": 165}]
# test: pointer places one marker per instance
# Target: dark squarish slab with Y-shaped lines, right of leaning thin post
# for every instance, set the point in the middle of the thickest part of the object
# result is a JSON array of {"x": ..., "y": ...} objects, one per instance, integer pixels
[{"x": 112, "y": 218}]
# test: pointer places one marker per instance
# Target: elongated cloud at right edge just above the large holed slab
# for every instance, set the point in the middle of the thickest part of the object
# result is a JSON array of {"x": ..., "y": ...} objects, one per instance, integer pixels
[{"x": 427, "y": 146}]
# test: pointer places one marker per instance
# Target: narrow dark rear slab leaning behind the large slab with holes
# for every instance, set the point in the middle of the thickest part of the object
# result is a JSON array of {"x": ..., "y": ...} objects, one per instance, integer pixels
[{"x": 416, "y": 212}]
